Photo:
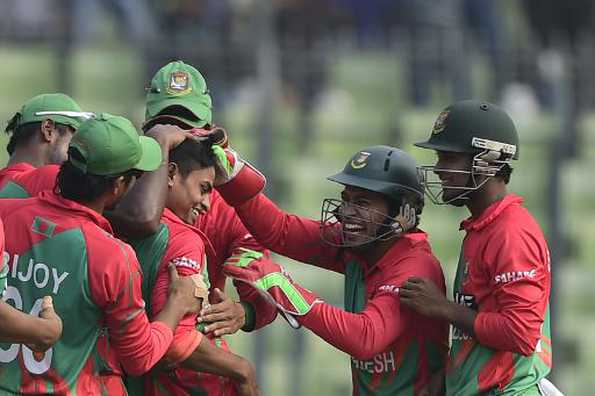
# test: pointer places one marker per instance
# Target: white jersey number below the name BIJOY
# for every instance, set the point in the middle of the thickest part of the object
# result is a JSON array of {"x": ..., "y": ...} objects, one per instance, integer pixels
[{"x": 32, "y": 365}]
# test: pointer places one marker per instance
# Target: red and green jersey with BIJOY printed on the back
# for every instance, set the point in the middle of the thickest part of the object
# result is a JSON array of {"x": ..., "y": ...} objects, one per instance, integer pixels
[{"x": 62, "y": 249}]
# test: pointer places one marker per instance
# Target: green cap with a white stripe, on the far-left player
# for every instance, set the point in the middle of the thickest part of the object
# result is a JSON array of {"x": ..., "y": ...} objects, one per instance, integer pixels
[{"x": 57, "y": 107}]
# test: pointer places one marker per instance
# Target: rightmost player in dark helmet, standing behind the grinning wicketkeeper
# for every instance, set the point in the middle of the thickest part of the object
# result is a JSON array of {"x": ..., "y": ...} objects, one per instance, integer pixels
[{"x": 500, "y": 314}]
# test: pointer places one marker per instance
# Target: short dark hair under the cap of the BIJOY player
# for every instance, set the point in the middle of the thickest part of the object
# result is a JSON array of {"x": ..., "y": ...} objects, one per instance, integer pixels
[{"x": 74, "y": 184}]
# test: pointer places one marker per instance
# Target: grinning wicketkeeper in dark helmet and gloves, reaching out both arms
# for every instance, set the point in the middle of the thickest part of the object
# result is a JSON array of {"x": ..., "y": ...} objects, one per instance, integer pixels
[{"x": 370, "y": 235}]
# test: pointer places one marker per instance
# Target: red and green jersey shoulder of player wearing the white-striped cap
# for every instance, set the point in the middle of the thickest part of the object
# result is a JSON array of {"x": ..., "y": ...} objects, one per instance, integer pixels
[{"x": 23, "y": 180}]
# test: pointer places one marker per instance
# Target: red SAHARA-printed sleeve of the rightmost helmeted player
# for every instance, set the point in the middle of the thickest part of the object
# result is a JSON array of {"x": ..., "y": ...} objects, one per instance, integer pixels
[{"x": 517, "y": 270}]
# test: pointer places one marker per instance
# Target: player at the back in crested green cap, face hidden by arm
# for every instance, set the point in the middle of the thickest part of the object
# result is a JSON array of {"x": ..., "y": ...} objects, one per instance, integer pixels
[{"x": 178, "y": 95}]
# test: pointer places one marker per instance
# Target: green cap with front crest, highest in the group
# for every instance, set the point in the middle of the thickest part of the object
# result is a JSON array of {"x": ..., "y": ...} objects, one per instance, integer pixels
[{"x": 179, "y": 84}]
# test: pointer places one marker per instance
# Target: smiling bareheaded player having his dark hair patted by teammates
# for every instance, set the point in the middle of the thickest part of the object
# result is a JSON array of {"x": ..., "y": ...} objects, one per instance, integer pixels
[{"x": 192, "y": 169}]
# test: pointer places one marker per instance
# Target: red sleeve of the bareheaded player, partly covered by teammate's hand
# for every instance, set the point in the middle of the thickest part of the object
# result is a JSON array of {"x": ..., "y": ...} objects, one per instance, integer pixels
[{"x": 186, "y": 251}]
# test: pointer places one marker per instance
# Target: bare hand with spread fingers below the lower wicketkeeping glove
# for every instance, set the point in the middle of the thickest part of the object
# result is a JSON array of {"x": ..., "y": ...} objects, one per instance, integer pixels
[{"x": 224, "y": 316}]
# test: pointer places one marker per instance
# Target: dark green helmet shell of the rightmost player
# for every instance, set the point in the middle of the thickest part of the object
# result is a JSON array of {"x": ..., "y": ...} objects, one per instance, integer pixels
[{"x": 472, "y": 126}]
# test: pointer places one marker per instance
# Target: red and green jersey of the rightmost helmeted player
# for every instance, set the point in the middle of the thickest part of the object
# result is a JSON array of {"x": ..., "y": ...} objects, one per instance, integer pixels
[{"x": 503, "y": 274}]
